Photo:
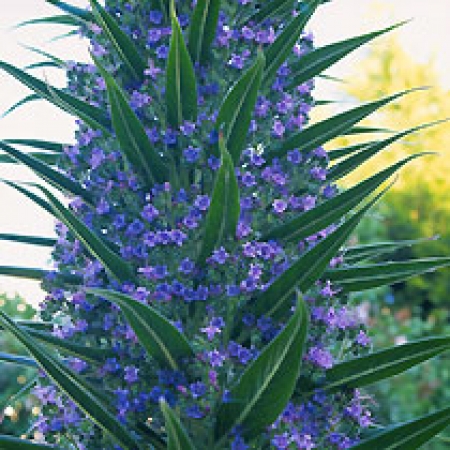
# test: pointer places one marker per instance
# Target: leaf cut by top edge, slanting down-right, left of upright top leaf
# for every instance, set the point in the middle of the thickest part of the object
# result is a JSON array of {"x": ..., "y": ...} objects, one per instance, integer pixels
[{"x": 122, "y": 43}]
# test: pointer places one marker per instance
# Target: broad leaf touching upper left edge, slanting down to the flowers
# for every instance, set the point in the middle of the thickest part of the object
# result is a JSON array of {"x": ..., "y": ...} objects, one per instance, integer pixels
[{"x": 92, "y": 115}]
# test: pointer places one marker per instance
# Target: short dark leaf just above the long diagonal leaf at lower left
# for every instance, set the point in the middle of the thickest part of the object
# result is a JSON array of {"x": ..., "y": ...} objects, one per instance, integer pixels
[{"x": 91, "y": 354}]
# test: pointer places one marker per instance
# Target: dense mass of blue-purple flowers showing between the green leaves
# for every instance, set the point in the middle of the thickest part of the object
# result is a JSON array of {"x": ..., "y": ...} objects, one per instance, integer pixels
[{"x": 158, "y": 232}]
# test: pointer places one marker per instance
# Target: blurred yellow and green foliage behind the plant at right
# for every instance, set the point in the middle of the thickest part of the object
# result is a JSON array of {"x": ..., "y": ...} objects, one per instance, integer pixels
[{"x": 417, "y": 206}]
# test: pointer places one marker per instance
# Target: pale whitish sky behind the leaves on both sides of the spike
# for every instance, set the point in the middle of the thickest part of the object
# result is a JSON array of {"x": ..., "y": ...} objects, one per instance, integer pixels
[{"x": 426, "y": 36}]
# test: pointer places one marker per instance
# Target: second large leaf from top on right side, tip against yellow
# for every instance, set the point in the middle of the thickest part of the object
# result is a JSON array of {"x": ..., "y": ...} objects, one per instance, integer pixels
[{"x": 320, "y": 133}]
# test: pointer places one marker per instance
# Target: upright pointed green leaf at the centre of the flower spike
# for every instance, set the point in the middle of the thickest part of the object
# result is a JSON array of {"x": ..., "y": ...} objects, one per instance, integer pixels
[{"x": 223, "y": 214}]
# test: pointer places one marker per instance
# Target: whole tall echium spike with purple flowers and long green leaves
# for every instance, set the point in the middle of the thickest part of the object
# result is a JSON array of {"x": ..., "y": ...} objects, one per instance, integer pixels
[{"x": 200, "y": 297}]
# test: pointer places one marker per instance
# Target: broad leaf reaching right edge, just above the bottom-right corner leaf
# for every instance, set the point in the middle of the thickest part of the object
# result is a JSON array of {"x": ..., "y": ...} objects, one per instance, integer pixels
[{"x": 369, "y": 369}]
